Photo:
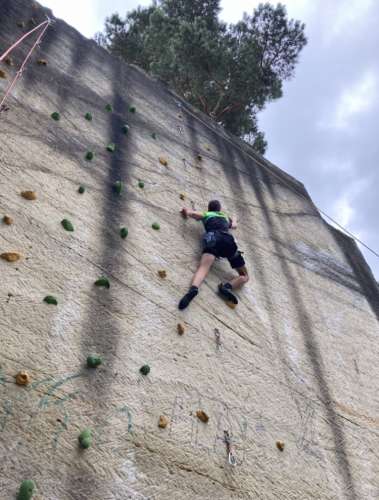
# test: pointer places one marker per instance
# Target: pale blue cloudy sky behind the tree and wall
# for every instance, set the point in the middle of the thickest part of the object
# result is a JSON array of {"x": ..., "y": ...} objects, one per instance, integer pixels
[{"x": 324, "y": 130}]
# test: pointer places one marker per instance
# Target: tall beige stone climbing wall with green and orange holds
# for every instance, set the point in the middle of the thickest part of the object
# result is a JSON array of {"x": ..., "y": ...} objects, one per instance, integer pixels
[{"x": 275, "y": 399}]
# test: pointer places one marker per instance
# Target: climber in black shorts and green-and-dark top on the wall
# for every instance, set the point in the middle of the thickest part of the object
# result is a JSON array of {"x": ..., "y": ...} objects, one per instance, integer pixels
[{"x": 217, "y": 242}]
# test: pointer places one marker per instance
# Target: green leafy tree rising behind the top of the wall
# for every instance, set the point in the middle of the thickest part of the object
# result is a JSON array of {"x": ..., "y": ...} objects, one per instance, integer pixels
[{"x": 229, "y": 72}]
